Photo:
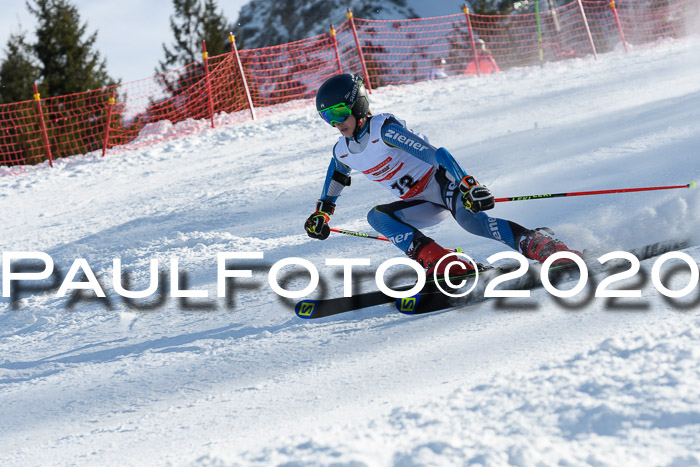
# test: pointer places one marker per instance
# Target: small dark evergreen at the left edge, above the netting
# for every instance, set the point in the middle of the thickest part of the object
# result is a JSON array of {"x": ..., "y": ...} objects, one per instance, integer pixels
[{"x": 18, "y": 71}]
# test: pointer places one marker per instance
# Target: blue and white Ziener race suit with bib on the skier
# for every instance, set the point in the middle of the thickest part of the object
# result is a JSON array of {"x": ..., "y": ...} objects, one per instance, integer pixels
[{"x": 404, "y": 162}]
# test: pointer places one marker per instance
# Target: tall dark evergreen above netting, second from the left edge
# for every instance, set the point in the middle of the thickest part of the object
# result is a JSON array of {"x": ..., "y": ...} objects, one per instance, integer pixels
[{"x": 68, "y": 61}]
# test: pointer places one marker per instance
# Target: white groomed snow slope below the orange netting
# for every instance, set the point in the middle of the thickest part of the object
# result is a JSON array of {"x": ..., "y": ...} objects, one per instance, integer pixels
[{"x": 241, "y": 381}]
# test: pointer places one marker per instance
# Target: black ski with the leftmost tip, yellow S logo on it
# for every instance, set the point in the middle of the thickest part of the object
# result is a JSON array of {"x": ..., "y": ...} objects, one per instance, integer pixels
[{"x": 313, "y": 309}]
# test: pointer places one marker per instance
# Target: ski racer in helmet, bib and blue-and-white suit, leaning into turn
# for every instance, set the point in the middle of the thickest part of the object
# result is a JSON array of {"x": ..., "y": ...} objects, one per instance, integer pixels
[{"x": 387, "y": 152}]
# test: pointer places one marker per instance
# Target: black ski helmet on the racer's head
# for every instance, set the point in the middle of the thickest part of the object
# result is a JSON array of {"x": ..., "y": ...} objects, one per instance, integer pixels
[{"x": 344, "y": 88}]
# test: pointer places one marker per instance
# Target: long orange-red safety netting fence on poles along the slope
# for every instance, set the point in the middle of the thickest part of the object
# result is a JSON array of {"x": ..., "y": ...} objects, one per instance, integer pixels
[{"x": 213, "y": 90}]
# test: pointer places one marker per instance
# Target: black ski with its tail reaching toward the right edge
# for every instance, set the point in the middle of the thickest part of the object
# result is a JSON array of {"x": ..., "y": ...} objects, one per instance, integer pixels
[{"x": 430, "y": 301}]
